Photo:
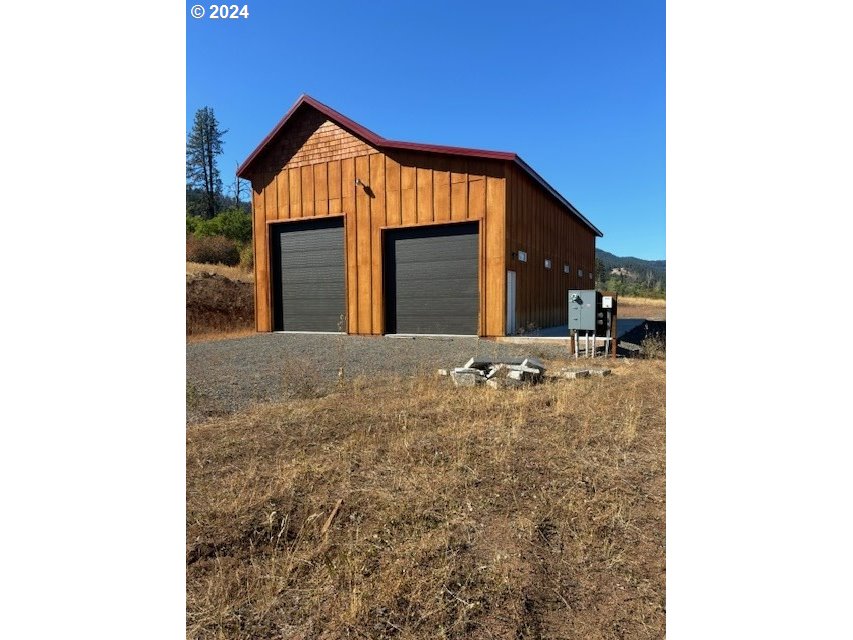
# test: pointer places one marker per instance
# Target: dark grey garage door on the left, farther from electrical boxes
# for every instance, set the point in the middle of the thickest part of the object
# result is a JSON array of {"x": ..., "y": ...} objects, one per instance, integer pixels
[{"x": 308, "y": 287}]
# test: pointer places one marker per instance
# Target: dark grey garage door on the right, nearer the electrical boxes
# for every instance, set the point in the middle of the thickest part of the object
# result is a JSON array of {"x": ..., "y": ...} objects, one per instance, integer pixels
[{"x": 431, "y": 280}]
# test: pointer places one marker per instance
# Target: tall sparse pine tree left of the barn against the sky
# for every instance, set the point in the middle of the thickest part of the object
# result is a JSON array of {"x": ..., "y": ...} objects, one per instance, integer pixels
[{"x": 204, "y": 143}]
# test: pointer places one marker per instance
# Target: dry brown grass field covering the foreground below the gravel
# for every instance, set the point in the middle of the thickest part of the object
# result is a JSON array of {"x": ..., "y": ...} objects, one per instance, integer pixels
[{"x": 466, "y": 513}]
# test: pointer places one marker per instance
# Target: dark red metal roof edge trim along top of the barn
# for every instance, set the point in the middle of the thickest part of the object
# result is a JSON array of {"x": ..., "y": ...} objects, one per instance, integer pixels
[{"x": 380, "y": 142}]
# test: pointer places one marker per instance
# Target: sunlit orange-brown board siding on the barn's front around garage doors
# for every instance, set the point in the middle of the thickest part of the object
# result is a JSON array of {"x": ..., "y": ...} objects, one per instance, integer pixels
[{"x": 408, "y": 188}]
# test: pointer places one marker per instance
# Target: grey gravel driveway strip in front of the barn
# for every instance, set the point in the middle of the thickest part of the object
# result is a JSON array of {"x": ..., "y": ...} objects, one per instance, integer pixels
[{"x": 227, "y": 375}]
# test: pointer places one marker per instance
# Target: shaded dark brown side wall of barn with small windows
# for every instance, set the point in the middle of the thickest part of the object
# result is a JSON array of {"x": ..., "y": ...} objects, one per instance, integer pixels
[{"x": 539, "y": 225}]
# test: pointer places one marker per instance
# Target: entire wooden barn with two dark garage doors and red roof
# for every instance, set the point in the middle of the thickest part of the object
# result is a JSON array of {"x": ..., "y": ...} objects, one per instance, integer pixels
[{"x": 356, "y": 233}]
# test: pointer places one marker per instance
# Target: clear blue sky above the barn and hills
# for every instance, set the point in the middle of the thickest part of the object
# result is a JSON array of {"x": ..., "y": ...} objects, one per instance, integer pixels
[{"x": 576, "y": 88}]
